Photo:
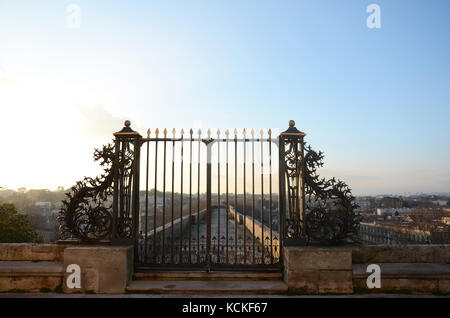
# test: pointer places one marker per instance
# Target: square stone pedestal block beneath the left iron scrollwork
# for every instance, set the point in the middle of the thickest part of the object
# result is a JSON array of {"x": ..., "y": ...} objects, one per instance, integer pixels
[{"x": 104, "y": 269}]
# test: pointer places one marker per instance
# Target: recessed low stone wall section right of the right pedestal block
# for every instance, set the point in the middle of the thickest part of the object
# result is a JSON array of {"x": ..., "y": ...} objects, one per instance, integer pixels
[{"x": 404, "y": 268}]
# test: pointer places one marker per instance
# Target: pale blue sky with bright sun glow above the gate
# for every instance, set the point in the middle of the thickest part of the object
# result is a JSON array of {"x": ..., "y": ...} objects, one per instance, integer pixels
[{"x": 376, "y": 101}]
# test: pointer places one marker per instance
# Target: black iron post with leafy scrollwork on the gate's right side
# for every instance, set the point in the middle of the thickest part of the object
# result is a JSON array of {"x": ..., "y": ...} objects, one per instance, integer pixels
[{"x": 319, "y": 211}]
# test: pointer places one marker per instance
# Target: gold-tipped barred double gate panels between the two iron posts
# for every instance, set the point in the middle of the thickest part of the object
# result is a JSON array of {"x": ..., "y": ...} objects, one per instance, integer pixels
[{"x": 204, "y": 213}]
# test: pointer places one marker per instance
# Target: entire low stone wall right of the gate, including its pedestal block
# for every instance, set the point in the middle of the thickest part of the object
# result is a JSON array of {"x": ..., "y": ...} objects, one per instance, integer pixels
[{"x": 404, "y": 268}]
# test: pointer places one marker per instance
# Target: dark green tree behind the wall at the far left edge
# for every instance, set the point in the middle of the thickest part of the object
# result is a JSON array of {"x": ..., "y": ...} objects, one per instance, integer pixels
[{"x": 14, "y": 226}]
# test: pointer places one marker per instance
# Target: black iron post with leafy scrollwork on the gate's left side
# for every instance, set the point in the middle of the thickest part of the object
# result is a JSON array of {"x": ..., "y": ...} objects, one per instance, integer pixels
[{"x": 87, "y": 213}]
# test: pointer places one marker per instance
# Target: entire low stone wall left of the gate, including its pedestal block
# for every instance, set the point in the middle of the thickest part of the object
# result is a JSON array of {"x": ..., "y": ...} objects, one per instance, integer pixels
[{"x": 42, "y": 267}]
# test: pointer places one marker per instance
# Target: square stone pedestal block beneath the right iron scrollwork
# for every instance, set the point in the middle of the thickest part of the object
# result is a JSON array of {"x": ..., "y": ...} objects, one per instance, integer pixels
[{"x": 318, "y": 270}]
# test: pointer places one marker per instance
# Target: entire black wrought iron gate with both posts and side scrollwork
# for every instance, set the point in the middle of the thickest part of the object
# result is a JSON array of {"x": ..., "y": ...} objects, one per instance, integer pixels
[{"x": 209, "y": 203}]
